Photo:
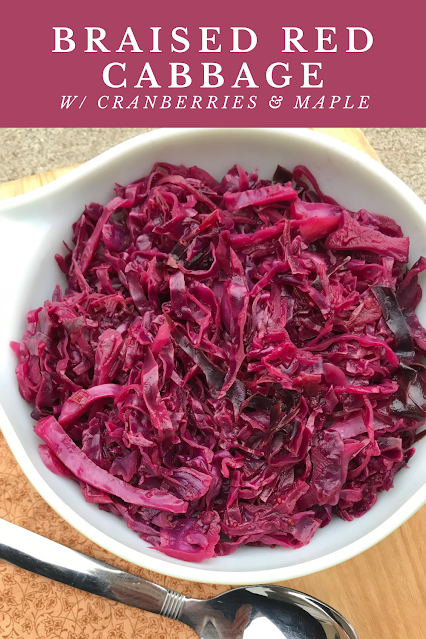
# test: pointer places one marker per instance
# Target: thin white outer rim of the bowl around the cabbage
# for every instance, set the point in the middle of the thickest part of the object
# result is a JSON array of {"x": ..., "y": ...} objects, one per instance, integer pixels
[{"x": 190, "y": 571}]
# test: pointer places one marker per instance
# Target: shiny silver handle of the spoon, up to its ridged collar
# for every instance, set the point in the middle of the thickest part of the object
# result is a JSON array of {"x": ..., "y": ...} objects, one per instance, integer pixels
[{"x": 42, "y": 556}]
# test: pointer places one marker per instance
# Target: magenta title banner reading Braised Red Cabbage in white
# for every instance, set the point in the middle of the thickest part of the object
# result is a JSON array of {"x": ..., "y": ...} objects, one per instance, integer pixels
[{"x": 222, "y": 63}]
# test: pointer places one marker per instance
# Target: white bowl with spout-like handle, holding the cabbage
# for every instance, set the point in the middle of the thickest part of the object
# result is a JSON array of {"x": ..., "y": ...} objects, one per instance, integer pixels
[{"x": 32, "y": 227}]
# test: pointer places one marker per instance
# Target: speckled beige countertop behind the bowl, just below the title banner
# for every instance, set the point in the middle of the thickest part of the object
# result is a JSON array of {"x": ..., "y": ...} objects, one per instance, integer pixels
[{"x": 26, "y": 152}]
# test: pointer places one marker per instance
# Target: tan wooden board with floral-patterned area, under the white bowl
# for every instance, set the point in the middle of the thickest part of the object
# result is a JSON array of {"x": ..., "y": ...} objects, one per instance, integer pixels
[{"x": 382, "y": 591}]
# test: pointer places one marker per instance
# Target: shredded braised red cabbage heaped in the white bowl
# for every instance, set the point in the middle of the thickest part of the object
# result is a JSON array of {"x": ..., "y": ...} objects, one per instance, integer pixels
[{"x": 231, "y": 363}]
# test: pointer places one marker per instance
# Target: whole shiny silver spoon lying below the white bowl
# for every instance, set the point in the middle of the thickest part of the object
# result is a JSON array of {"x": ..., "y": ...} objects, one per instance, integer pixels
[{"x": 271, "y": 612}]
